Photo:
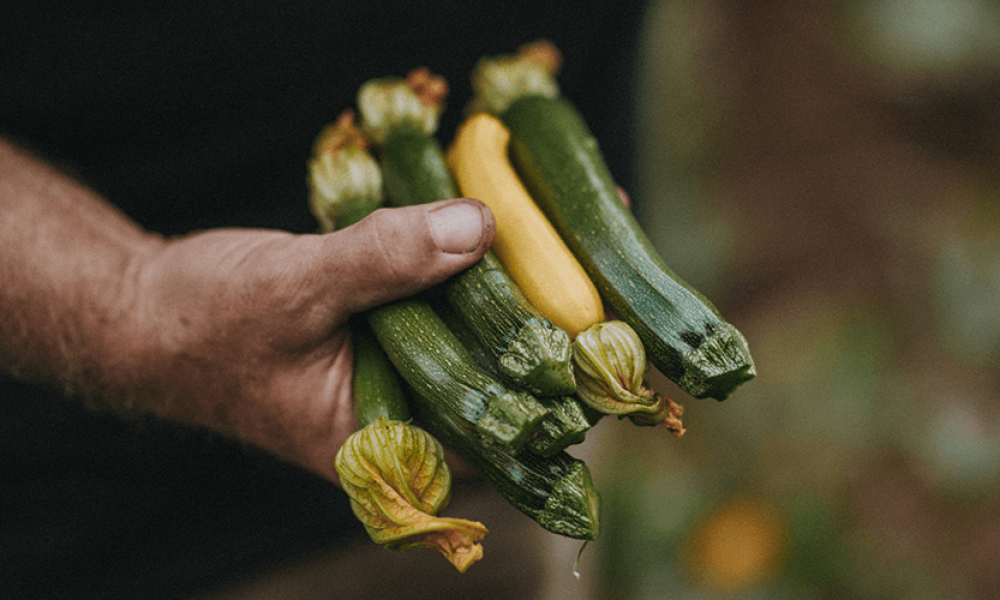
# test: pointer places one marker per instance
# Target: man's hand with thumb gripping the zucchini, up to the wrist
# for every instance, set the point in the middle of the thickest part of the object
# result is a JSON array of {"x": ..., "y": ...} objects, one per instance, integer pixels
[{"x": 243, "y": 331}]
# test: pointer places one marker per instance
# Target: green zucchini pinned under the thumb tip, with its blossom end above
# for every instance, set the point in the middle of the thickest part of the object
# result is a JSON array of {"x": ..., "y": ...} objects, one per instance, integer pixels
[{"x": 530, "y": 350}]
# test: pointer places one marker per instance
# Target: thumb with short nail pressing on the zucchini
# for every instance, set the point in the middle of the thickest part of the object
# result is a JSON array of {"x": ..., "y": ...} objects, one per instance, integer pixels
[{"x": 397, "y": 252}]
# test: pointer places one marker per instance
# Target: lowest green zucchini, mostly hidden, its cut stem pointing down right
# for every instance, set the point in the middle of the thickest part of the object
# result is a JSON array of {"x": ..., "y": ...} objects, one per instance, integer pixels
[{"x": 556, "y": 491}]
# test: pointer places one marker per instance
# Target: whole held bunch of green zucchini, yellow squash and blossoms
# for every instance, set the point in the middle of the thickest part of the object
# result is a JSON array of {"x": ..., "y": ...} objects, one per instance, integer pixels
[{"x": 513, "y": 360}]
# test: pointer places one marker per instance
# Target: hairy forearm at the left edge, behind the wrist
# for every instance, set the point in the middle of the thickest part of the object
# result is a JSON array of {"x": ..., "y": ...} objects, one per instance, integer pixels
[{"x": 67, "y": 267}]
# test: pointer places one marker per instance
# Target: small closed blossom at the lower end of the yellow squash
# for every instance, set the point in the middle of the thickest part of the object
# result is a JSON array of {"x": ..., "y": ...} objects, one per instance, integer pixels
[{"x": 610, "y": 363}]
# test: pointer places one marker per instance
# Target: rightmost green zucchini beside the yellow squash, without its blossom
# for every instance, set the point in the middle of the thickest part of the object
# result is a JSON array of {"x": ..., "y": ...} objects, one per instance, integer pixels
[{"x": 684, "y": 334}]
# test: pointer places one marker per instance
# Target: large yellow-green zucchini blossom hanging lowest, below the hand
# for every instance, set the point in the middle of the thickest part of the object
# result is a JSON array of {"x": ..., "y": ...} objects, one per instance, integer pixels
[{"x": 397, "y": 480}]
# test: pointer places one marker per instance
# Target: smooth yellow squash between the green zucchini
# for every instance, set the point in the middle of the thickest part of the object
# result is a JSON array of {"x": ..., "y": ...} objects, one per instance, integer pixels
[{"x": 526, "y": 243}]
